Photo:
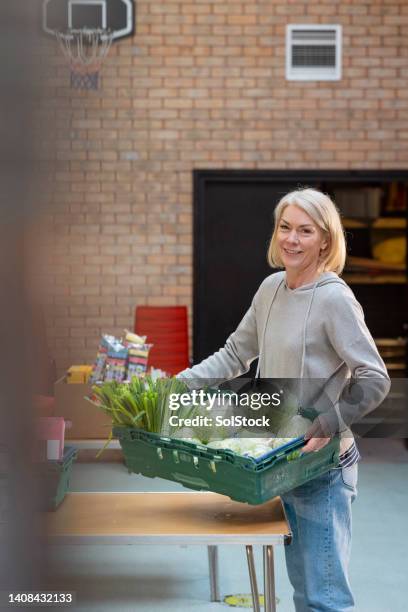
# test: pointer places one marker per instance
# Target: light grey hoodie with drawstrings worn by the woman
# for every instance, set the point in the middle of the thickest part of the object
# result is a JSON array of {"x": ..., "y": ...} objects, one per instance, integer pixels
[{"x": 314, "y": 332}]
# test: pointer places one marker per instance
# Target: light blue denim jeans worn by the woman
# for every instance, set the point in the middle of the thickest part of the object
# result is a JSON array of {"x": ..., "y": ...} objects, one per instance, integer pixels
[{"x": 319, "y": 513}]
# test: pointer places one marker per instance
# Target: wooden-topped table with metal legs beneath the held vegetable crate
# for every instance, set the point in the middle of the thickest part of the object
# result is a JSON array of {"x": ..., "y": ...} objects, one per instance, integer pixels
[{"x": 182, "y": 518}]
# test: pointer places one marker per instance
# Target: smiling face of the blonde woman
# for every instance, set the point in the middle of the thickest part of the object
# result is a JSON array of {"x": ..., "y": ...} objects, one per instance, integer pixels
[{"x": 300, "y": 240}]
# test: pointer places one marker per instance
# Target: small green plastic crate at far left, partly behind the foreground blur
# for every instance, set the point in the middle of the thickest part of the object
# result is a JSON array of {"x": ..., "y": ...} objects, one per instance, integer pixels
[{"x": 55, "y": 476}]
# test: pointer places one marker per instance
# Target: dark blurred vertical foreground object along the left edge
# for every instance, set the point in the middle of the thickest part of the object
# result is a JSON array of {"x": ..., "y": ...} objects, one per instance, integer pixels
[{"x": 21, "y": 552}]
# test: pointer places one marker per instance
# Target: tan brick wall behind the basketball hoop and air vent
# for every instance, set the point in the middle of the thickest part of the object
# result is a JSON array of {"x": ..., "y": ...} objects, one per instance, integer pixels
[{"x": 200, "y": 85}]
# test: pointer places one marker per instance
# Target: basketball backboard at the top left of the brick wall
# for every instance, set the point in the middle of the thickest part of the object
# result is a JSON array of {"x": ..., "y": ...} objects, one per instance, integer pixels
[{"x": 115, "y": 16}]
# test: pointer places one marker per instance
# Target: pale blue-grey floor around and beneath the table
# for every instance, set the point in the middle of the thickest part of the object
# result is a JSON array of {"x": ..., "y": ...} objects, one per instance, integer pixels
[{"x": 157, "y": 578}]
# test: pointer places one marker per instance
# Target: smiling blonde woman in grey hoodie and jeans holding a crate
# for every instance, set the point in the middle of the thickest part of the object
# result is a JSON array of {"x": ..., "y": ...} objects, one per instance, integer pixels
[{"x": 305, "y": 323}]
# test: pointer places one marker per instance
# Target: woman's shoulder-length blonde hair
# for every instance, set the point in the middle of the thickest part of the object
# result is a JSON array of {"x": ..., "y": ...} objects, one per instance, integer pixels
[{"x": 324, "y": 213}]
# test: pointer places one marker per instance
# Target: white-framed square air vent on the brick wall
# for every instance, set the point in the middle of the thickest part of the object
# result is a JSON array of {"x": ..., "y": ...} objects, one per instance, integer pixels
[{"x": 313, "y": 52}]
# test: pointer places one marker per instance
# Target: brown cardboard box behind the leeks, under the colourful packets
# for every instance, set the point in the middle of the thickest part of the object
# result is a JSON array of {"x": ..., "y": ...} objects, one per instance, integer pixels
[{"x": 88, "y": 422}]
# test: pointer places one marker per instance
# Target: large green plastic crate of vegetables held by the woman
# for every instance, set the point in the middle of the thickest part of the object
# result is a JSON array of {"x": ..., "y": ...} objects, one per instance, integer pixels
[{"x": 243, "y": 479}]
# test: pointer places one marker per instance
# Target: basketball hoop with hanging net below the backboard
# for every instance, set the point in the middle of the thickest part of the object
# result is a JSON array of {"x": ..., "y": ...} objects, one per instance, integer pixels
[{"x": 85, "y": 49}]
